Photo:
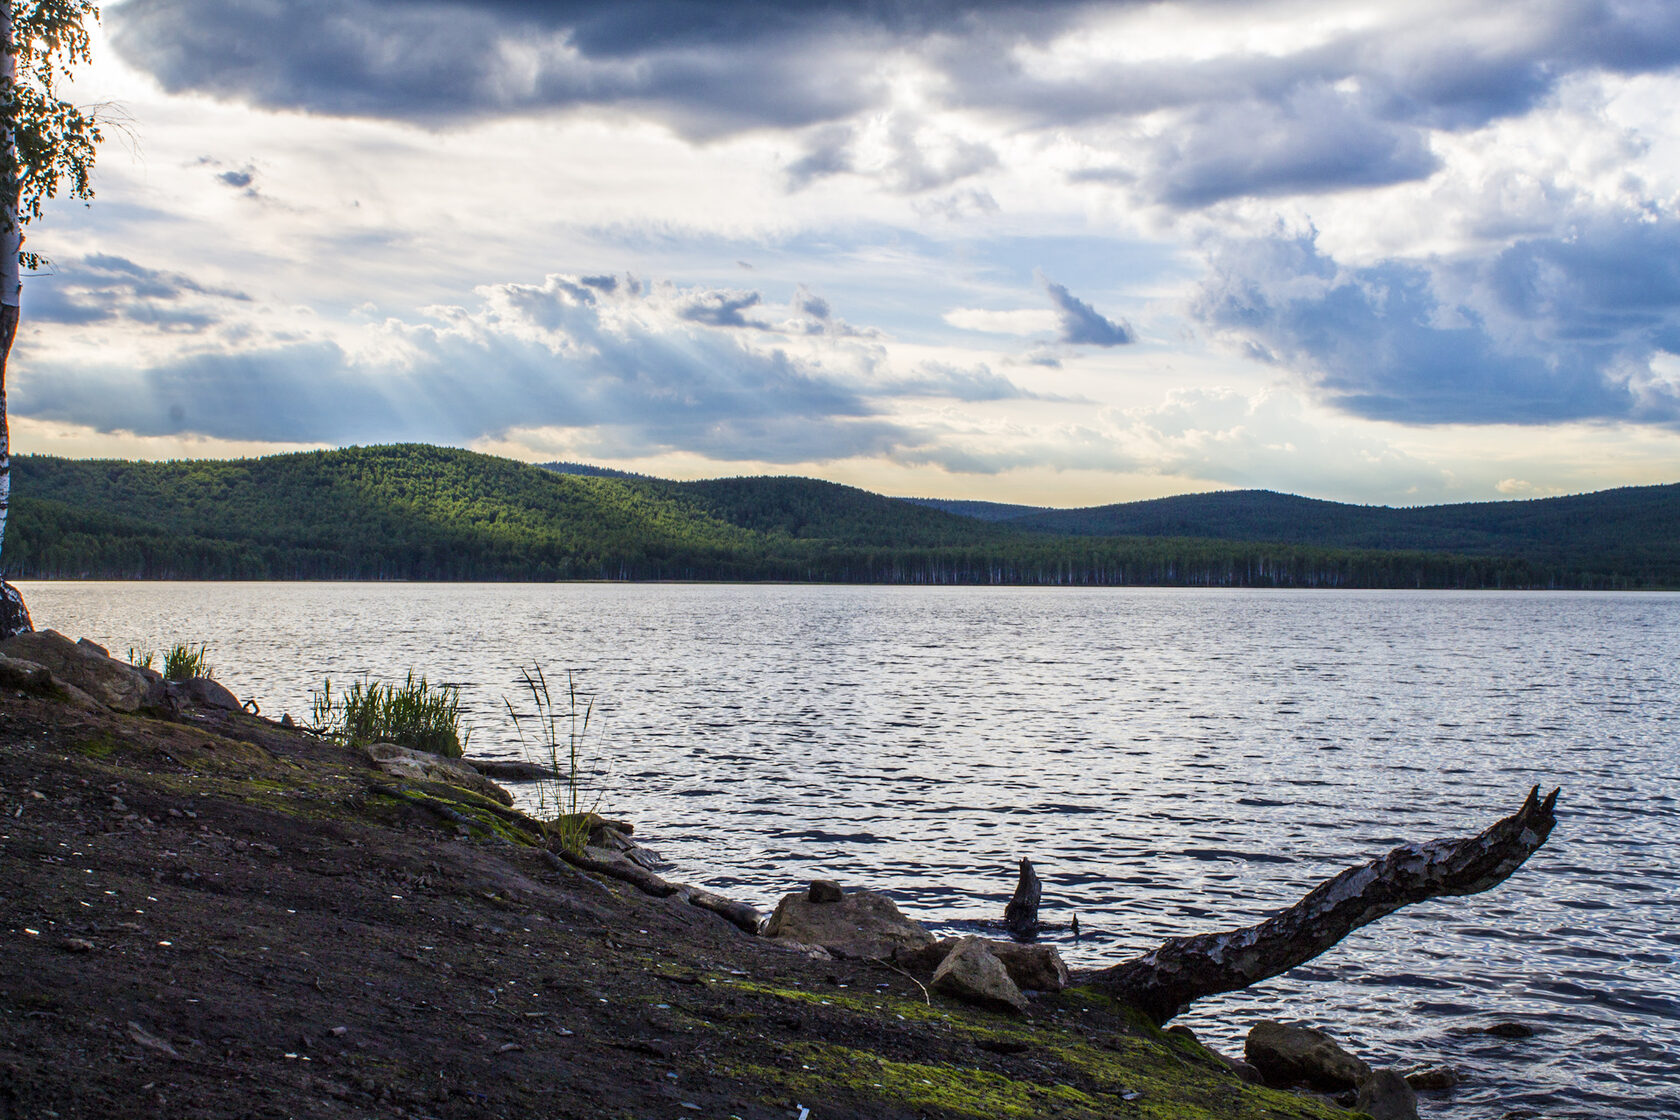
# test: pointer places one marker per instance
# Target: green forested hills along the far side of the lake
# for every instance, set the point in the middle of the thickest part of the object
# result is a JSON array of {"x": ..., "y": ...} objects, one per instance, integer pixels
[{"x": 428, "y": 513}]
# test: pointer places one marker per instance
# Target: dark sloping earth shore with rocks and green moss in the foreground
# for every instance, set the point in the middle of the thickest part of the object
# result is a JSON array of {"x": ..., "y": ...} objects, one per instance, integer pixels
[{"x": 209, "y": 914}]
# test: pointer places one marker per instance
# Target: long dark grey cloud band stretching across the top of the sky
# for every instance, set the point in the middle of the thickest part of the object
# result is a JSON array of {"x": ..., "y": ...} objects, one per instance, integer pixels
[{"x": 1333, "y": 115}]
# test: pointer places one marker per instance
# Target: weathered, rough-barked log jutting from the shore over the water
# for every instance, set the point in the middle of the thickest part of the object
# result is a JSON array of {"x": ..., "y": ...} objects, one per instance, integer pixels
[{"x": 1167, "y": 980}]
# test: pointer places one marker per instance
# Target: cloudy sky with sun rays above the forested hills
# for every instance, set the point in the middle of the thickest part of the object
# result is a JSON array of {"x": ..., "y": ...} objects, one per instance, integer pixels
[{"x": 1061, "y": 254}]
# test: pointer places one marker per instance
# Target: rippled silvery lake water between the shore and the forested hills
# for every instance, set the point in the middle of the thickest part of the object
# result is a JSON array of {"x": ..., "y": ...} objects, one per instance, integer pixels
[{"x": 1173, "y": 761}]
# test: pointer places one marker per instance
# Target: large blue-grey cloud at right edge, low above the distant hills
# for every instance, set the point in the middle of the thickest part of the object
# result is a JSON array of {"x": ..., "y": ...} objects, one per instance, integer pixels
[{"x": 1551, "y": 330}]
